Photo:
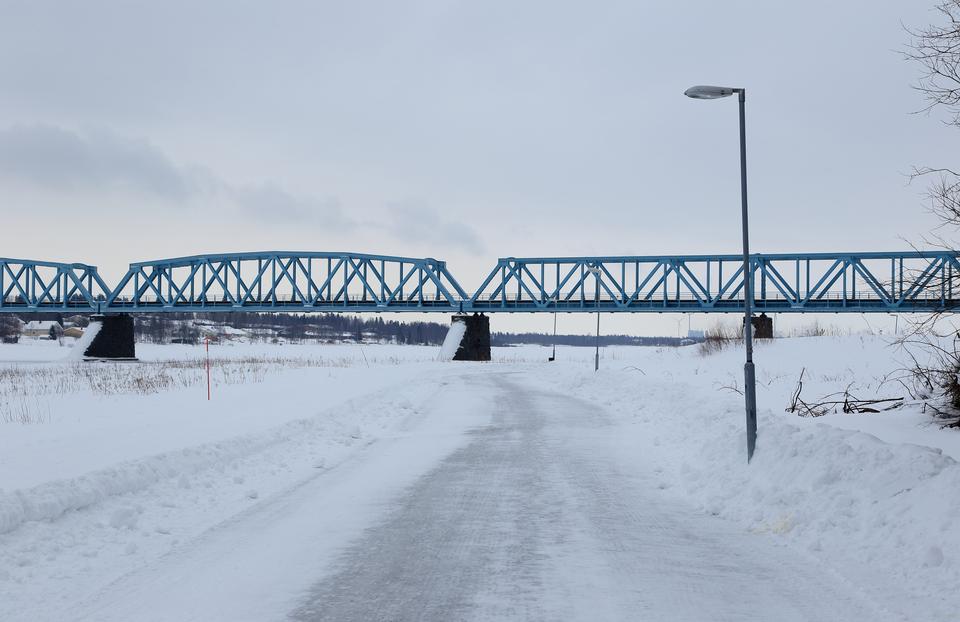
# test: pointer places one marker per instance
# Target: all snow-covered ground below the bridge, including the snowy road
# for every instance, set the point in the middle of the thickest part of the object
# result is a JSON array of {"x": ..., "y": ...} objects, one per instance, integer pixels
[{"x": 125, "y": 494}]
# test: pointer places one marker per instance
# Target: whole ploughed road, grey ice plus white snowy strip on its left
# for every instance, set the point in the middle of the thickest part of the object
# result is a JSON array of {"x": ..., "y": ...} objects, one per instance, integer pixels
[{"x": 499, "y": 501}]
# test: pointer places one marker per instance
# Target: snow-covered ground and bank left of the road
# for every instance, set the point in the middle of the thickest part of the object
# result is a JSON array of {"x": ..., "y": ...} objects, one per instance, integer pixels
[{"x": 76, "y": 529}]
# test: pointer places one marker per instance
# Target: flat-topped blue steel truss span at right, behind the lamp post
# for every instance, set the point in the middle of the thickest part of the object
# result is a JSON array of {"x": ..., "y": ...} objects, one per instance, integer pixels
[{"x": 911, "y": 281}]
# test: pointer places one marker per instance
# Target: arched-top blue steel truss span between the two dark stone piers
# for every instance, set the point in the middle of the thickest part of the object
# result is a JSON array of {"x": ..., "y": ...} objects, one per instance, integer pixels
[{"x": 287, "y": 281}]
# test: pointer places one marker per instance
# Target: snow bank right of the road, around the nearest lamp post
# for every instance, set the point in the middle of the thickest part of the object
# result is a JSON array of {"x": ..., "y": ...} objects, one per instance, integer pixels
[{"x": 872, "y": 509}]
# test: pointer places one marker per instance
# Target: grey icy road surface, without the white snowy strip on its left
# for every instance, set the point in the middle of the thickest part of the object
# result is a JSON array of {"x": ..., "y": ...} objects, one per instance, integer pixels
[{"x": 533, "y": 520}]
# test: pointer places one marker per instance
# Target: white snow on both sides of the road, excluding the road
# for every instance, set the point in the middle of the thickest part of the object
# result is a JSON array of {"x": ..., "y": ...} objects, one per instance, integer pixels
[{"x": 115, "y": 478}]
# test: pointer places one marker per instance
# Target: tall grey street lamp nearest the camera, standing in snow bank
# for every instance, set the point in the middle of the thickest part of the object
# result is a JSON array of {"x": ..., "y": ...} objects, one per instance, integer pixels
[{"x": 749, "y": 378}]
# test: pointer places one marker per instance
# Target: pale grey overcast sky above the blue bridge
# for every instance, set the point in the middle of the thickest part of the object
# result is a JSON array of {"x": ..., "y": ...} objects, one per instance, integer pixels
[{"x": 464, "y": 131}]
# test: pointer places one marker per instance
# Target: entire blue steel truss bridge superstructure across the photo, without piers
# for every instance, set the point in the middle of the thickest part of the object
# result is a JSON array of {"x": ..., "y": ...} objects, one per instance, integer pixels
[{"x": 905, "y": 282}]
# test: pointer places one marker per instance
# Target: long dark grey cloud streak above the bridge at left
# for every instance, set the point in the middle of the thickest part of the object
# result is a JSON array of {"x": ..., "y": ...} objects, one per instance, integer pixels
[{"x": 60, "y": 160}]
